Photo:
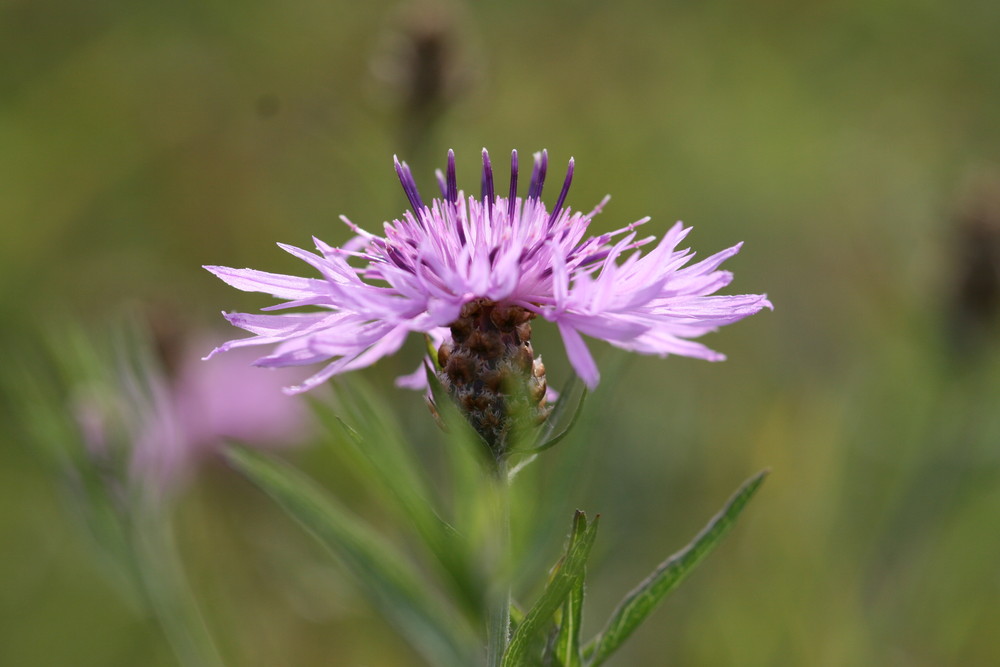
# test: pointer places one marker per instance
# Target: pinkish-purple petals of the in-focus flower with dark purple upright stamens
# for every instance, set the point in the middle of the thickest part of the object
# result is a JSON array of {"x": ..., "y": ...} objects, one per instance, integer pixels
[{"x": 428, "y": 267}]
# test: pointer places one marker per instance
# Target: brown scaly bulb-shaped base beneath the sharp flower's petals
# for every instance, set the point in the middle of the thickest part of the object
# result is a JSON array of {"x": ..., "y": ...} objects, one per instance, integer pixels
[{"x": 490, "y": 371}]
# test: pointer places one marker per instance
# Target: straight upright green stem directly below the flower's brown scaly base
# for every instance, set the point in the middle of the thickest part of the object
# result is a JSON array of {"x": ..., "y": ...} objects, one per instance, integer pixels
[{"x": 498, "y": 613}]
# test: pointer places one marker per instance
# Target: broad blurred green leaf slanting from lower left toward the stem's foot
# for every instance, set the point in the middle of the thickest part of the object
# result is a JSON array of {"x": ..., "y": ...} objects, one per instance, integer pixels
[{"x": 395, "y": 587}]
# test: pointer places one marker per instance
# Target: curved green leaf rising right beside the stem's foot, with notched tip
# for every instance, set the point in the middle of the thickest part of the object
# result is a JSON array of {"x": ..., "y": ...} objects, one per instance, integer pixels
[{"x": 567, "y": 575}]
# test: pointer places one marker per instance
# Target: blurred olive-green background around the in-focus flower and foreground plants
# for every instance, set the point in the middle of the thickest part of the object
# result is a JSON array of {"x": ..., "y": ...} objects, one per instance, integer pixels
[{"x": 849, "y": 144}]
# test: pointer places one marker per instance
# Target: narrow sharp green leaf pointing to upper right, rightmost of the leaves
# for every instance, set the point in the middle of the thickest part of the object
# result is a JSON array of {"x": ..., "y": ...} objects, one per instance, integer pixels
[{"x": 639, "y": 603}]
